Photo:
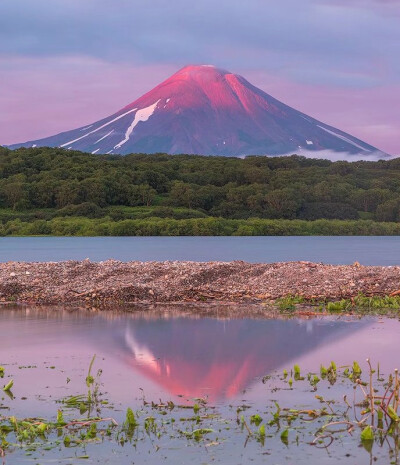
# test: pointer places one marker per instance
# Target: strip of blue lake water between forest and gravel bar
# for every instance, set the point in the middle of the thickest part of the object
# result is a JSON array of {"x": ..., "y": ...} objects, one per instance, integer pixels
[{"x": 367, "y": 250}]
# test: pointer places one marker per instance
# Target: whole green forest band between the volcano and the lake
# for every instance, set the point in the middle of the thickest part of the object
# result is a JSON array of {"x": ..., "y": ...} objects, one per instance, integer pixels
[{"x": 54, "y": 191}]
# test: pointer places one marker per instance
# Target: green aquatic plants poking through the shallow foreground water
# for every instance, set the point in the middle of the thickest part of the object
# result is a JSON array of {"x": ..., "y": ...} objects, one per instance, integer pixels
[{"x": 363, "y": 405}]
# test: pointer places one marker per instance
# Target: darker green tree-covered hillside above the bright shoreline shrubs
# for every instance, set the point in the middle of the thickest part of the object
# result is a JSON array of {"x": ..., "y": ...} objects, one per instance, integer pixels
[{"x": 43, "y": 183}]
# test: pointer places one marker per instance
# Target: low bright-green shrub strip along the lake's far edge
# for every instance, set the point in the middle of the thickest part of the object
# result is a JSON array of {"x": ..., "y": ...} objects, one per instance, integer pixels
[{"x": 197, "y": 227}]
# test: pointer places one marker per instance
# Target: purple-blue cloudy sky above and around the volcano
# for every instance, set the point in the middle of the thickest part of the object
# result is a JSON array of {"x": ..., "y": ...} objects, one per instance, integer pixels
[{"x": 67, "y": 63}]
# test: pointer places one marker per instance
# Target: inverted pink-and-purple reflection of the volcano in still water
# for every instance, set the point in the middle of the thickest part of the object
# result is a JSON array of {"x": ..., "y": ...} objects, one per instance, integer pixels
[{"x": 194, "y": 357}]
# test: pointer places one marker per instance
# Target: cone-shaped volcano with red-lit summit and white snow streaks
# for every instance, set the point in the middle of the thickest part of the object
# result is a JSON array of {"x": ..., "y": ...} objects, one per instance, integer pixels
[{"x": 208, "y": 111}]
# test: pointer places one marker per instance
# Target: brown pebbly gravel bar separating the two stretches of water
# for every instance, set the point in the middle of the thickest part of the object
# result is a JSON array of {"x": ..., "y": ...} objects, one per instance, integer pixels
[{"x": 114, "y": 283}]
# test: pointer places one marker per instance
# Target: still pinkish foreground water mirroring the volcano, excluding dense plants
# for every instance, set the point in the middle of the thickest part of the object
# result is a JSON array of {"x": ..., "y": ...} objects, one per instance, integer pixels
[{"x": 181, "y": 357}]
